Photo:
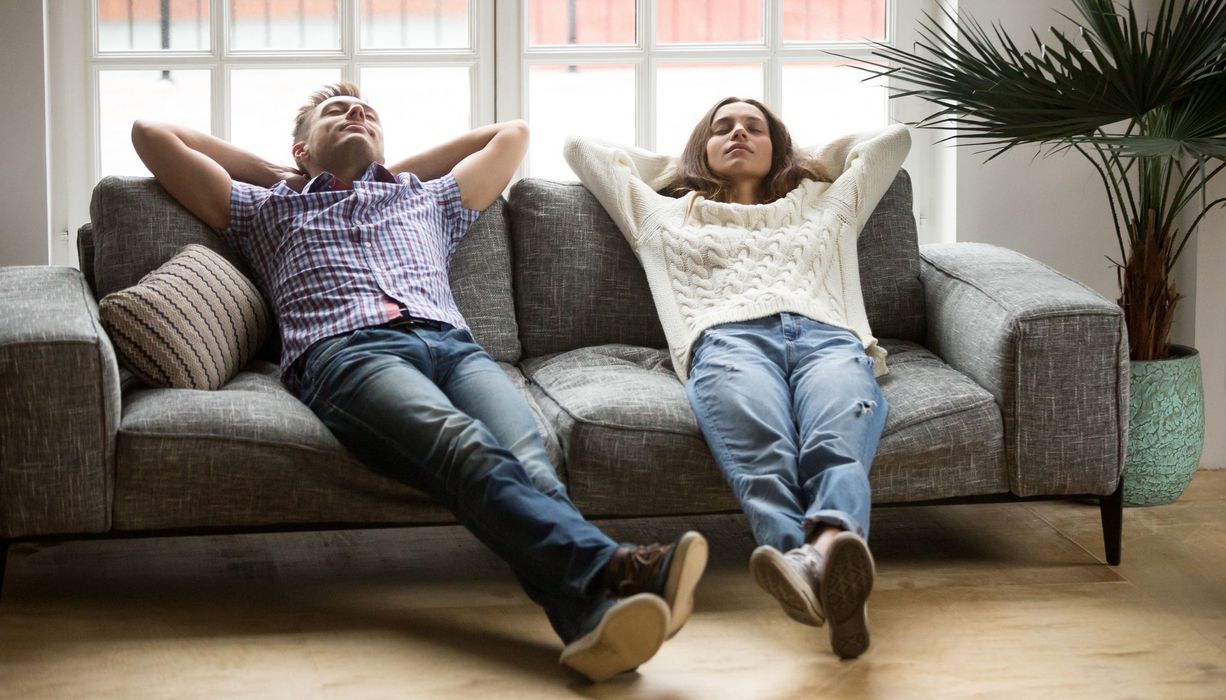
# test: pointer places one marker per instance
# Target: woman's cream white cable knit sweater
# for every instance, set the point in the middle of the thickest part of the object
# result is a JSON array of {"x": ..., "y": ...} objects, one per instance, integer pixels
[{"x": 726, "y": 263}]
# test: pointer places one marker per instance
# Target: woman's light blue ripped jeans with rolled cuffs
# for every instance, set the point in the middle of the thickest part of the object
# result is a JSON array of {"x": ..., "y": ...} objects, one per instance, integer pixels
[{"x": 793, "y": 415}]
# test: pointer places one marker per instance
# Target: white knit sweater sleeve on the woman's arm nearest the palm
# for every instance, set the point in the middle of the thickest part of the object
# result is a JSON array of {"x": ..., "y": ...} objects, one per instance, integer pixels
[{"x": 865, "y": 166}]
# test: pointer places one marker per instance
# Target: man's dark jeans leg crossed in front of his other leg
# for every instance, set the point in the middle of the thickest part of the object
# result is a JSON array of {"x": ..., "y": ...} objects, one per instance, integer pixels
[{"x": 376, "y": 392}]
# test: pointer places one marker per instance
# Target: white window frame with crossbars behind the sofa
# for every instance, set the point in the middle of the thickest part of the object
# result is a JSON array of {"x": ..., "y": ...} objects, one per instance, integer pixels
[{"x": 498, "y": 40}]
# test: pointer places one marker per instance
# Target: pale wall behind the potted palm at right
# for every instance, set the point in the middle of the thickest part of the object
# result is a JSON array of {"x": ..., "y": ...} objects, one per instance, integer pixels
[{"x": 1055, "y": 210}]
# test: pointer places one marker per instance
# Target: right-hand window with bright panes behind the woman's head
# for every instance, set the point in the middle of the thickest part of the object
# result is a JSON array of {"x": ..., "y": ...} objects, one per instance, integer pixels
[{"x": 645, "y": 72}]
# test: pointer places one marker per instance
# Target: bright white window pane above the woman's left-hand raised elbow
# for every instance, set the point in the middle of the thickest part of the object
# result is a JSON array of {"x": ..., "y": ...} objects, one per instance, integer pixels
[{"x": 595, "y": 101}]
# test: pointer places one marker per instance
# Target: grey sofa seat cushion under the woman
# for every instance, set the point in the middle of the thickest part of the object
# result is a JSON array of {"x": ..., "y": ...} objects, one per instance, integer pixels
[{"x": 632, "y": 444}]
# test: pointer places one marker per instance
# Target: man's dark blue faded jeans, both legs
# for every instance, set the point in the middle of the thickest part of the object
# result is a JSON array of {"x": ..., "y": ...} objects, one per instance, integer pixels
[{"x": 432, "y": 410}]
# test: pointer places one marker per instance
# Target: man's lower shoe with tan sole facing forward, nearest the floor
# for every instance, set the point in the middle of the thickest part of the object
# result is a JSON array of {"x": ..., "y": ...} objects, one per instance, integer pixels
[{"x": 631, "y": 633}]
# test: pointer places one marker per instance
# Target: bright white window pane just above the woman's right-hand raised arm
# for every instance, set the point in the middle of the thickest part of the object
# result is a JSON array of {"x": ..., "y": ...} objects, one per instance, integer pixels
[{"x": 826, "y": 101}]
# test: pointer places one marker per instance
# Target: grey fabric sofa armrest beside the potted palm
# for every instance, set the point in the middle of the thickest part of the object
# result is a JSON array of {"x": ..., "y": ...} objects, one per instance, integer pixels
[{"x": 1051, "y": 351}]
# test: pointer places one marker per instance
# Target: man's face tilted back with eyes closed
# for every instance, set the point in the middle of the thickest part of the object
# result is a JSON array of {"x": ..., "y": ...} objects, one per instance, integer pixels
[{"x": 344, "y": 132}]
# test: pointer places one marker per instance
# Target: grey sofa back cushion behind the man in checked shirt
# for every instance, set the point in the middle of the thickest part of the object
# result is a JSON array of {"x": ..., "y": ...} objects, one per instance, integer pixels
[{"x": 137, "y": 227}]
